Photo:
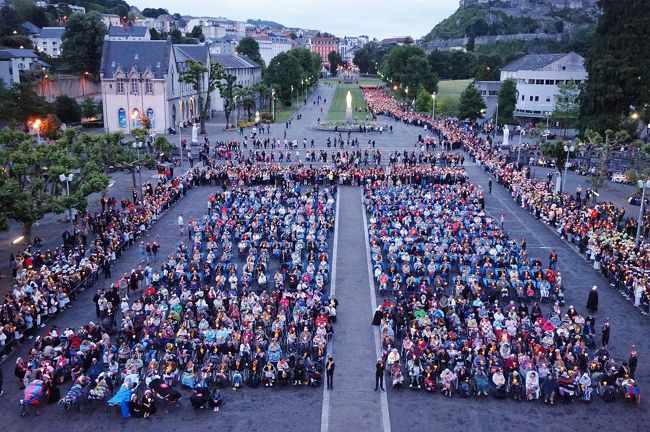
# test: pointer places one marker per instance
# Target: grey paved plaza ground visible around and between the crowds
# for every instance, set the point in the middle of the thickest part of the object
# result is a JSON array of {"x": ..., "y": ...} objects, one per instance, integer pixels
[{"x": 352, "y": 405}]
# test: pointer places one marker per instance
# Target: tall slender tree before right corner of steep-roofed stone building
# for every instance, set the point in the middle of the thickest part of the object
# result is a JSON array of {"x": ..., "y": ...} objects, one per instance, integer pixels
[{"x": 195, "y": 75}]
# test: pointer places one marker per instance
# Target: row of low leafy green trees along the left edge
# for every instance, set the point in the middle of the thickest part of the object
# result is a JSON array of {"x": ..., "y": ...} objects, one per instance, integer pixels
[{"x": 29, "y": 178}]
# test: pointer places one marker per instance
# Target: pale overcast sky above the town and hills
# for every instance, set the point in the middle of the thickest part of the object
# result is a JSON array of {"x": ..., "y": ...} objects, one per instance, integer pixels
[{"x": 375, "y": 18}]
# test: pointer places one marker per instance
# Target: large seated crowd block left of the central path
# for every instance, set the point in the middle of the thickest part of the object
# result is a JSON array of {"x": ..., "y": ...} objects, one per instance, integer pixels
[{"x": 242, "y": 301}]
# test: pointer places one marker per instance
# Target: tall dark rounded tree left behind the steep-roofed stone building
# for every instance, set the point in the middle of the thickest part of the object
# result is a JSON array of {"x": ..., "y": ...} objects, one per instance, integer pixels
[{"x": 82, "y": 43}]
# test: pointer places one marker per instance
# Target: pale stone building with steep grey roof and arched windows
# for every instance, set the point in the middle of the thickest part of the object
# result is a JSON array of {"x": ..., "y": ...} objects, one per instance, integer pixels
[{"x": 140, "y": 77}]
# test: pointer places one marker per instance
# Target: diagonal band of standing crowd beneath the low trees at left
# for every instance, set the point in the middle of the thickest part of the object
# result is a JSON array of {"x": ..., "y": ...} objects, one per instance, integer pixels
[{"x": 45, "y": 281}]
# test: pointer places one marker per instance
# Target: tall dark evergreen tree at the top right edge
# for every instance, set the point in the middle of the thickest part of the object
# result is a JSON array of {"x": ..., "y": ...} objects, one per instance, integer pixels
[{"x": 618, "y": 64}]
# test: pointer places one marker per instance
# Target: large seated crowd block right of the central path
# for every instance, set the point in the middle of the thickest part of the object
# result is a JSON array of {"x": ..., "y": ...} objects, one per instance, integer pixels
[{"x": 466, "y": 310}]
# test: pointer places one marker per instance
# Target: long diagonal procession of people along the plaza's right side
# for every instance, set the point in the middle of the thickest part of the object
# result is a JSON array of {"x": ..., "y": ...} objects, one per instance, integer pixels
[{"x": 602, "y": 232}]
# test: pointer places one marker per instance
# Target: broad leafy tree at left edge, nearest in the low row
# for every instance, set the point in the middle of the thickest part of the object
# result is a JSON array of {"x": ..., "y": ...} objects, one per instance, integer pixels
[{"x": 30, "y": 186}]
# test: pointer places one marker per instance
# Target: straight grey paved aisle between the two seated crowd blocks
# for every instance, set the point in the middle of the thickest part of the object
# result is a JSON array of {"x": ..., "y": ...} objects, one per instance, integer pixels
[{"x": 353, "y": 403}]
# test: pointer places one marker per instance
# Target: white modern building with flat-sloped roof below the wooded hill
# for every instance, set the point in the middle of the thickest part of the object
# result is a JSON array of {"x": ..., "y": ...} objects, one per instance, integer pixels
[{"x": 538, "y": 76}]
